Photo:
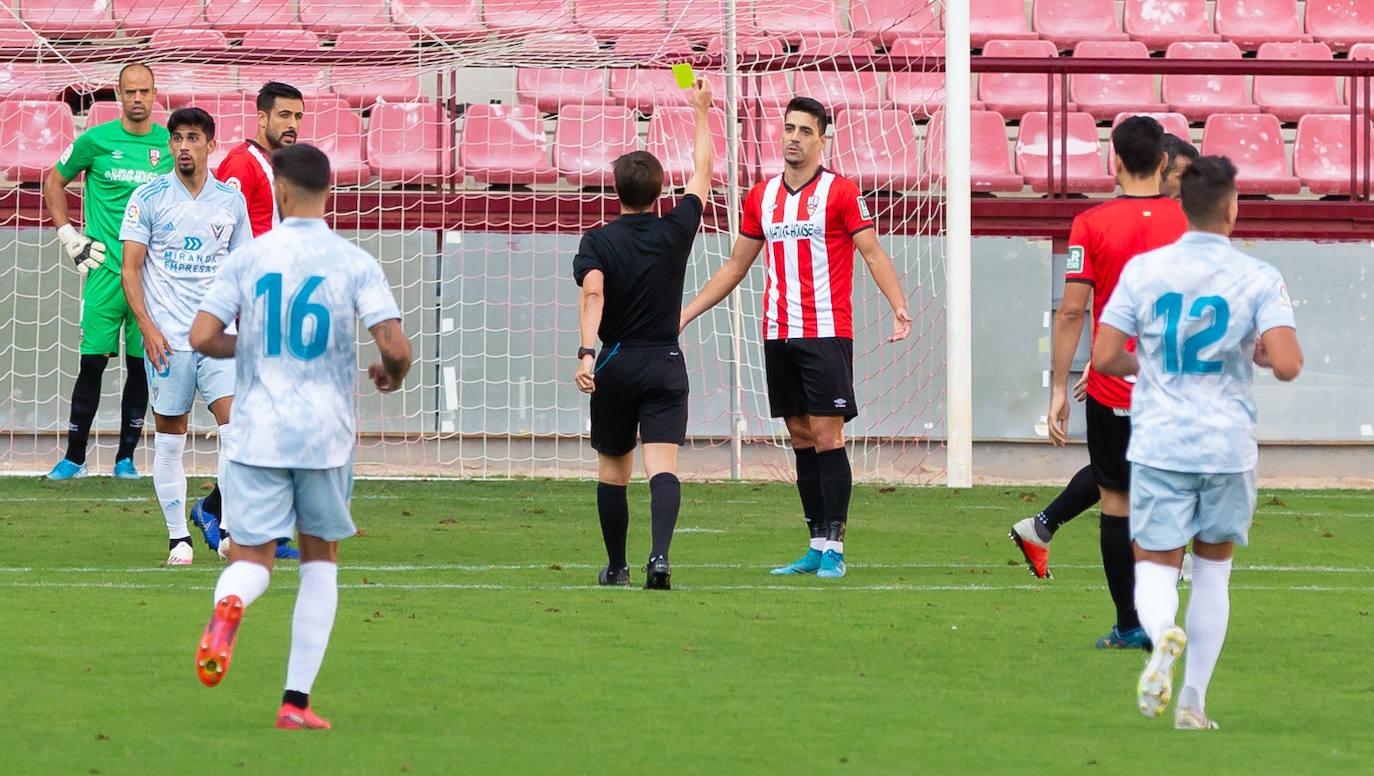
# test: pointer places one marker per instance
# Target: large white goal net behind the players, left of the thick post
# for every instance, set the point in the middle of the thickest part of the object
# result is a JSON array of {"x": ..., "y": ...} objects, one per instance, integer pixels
[{"x": 472, "y": 145}]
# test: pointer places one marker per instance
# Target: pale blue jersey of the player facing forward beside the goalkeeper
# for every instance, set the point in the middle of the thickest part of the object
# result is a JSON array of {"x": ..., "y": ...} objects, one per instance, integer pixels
[{"x": 188, "y": 240}]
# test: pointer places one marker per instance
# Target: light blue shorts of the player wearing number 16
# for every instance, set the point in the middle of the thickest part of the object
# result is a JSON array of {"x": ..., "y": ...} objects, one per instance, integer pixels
[{"x": 269, "y": 505}]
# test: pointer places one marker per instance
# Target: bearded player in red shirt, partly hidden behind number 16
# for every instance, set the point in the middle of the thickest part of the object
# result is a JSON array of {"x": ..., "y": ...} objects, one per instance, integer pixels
[{"x": 249, "y": 166}]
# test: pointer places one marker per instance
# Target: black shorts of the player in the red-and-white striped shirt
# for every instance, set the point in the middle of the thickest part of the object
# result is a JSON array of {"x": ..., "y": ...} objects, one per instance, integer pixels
[{"x": 813, "y": 376}]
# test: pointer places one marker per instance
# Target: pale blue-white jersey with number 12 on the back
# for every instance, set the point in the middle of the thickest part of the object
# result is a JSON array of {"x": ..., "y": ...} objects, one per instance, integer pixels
[{"x": 1196, "y": 308}]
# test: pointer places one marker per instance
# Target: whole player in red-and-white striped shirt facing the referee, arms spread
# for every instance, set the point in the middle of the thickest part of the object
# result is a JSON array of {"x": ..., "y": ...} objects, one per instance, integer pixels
[{"x": 810, "y": 220}]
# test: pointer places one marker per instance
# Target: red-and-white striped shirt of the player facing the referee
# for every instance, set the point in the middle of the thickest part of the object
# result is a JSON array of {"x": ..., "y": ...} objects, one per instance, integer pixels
[{"x": 810, "y": 252}]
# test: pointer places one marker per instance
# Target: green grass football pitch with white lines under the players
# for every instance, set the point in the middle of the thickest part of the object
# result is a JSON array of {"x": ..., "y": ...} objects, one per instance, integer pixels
[{"x": 473, "y": 639}]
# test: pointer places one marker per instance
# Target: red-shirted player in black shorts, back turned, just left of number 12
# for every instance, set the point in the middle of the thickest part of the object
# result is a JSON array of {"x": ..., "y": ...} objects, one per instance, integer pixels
[{"x": 1101, "y": 244}]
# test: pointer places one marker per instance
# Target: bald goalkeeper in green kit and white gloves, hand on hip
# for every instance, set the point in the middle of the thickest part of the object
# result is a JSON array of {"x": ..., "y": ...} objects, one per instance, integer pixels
[{"x": 116, "y": 157}]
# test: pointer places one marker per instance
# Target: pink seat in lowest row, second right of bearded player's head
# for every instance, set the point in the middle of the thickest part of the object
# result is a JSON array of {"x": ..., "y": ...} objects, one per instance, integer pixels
[{"x": 410, "y": 144}]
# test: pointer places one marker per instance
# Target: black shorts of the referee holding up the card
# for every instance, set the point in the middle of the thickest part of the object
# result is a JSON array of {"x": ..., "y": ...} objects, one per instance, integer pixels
[{"x": 640, "y": 388}]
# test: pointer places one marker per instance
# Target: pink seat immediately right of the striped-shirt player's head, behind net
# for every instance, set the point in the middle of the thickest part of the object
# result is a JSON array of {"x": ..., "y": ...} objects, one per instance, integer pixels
[{"x": 877, "y": 149}]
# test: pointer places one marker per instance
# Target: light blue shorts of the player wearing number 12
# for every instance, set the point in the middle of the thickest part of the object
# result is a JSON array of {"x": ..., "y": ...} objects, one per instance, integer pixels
[{"x": 1170, "y": 509}]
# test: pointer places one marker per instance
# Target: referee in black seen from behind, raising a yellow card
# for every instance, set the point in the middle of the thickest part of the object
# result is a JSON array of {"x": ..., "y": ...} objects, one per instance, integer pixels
[{"x": 631, "y": 273}]
